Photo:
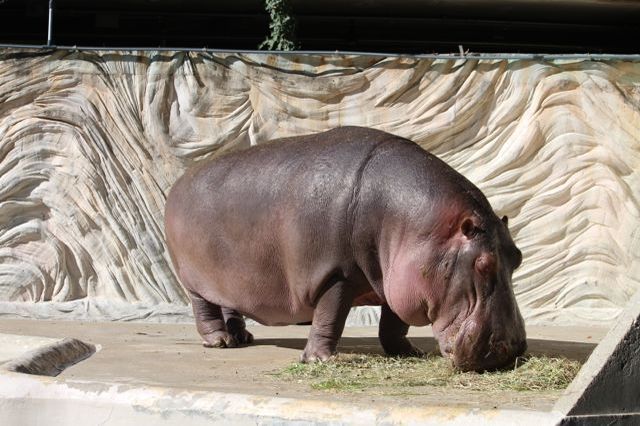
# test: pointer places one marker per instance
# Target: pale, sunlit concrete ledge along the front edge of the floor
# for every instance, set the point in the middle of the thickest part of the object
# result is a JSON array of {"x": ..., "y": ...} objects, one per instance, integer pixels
[{"x": 43, "y": 400}]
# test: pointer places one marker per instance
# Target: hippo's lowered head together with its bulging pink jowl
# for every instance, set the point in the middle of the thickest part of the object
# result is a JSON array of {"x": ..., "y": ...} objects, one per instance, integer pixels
[{"x": 463, "y": 288}]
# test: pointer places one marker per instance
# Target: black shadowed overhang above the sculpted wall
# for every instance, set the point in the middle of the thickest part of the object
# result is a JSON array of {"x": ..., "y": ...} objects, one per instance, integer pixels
[{"x": 400, "y": 26}]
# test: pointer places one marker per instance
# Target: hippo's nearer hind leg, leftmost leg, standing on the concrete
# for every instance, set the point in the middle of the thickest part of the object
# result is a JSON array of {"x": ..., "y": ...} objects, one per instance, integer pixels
[{"x": 210, "y": 323}]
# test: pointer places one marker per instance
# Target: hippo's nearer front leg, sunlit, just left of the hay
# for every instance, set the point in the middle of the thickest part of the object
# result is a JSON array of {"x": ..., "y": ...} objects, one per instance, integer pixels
[{"x": 329, "y": 317}]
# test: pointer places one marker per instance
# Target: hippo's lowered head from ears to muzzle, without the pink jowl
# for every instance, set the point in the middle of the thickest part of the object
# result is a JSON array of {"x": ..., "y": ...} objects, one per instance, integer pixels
[{"x": 478, "y": 323}]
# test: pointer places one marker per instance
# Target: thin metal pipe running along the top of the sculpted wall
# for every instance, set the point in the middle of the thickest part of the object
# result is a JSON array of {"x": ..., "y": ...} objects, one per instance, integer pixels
[{"x": 468, "y": 56}]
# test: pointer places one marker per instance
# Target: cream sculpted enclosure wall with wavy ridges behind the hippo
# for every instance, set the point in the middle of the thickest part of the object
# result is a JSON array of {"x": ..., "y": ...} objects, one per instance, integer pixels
[{"x": 90, "y": 143}]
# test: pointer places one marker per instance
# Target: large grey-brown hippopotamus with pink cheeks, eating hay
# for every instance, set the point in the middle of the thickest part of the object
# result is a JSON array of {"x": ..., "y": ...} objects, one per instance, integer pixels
[{"x": 303, "y": 228}]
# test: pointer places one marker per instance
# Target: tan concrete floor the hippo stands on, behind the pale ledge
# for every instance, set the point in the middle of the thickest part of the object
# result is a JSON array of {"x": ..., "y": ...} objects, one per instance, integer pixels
[{"x": 171, "y": 356}]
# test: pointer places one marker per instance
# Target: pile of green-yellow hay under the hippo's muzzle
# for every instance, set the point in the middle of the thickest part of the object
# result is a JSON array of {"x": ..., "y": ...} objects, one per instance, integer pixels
[{"x": 350, "y": 372}]
